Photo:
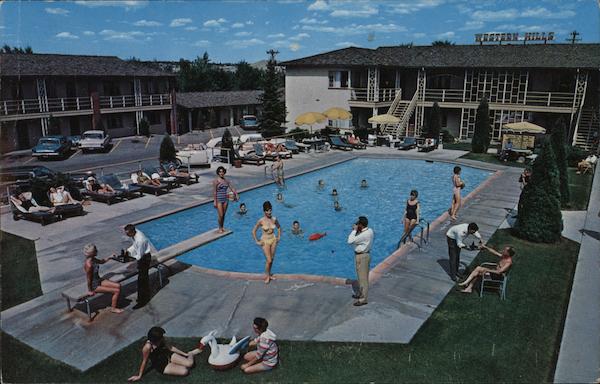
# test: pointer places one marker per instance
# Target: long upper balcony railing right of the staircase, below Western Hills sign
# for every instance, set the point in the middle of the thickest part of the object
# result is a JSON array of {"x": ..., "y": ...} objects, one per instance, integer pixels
[{"x": 545, "y": 99}]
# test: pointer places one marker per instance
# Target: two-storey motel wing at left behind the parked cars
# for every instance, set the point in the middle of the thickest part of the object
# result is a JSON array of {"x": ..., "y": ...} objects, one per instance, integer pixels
[{"x": 45, "y": 94}]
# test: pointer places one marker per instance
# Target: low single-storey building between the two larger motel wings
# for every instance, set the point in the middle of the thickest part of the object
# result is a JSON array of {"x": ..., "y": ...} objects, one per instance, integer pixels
[{"x": 201, "y": 110}]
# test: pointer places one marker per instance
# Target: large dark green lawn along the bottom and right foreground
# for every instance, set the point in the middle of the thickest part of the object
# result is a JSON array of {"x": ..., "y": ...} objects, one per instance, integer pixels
[{"x": 467, "y": 339}]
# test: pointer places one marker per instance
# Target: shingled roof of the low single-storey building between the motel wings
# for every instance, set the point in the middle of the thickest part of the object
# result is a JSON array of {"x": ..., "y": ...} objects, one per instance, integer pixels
[{"x": 217, "y": 99}]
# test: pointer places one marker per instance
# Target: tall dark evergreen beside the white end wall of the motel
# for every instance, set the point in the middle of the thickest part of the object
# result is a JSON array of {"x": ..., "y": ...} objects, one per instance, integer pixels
[{"x": 273, "y": 115}]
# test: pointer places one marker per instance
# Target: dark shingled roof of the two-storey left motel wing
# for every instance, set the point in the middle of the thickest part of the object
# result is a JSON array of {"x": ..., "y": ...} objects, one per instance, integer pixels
[{"x": 15, "y": 64}]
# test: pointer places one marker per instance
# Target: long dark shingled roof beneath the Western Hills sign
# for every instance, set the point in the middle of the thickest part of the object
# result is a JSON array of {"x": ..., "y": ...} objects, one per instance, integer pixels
[{"x": 461, "y": 56}]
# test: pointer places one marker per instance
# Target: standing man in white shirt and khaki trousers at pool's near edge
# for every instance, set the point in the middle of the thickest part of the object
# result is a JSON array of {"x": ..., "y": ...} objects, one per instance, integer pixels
[{"x": 361, "y": 238}]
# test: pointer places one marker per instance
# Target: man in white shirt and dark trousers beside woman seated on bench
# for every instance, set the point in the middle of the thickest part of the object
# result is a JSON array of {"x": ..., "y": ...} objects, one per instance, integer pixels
[{"x": 140, "y": 250}]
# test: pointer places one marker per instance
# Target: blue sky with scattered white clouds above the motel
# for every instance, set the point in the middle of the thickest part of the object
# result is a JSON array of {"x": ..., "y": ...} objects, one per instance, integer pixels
[{"x": 232, "y": 31}]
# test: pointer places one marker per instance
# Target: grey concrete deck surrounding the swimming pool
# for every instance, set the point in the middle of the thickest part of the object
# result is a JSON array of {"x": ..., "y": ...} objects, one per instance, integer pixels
[{"x": 195, "y": 301}]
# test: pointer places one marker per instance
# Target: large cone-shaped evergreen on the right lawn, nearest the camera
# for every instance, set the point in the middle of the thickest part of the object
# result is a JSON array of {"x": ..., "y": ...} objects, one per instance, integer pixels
[{"x": 540, "y": 219}]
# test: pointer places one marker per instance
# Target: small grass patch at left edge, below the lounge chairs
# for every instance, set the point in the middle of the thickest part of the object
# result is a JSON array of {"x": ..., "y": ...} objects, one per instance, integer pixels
[{"x": 18, "y": 261}]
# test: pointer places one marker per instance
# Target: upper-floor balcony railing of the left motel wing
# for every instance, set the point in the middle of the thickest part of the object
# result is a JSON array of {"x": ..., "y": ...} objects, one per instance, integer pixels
[{"x": 66, "y": 104}]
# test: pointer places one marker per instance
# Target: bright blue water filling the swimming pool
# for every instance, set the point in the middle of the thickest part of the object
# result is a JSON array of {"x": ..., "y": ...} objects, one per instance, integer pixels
[{"x": 383, "y": 202}]
